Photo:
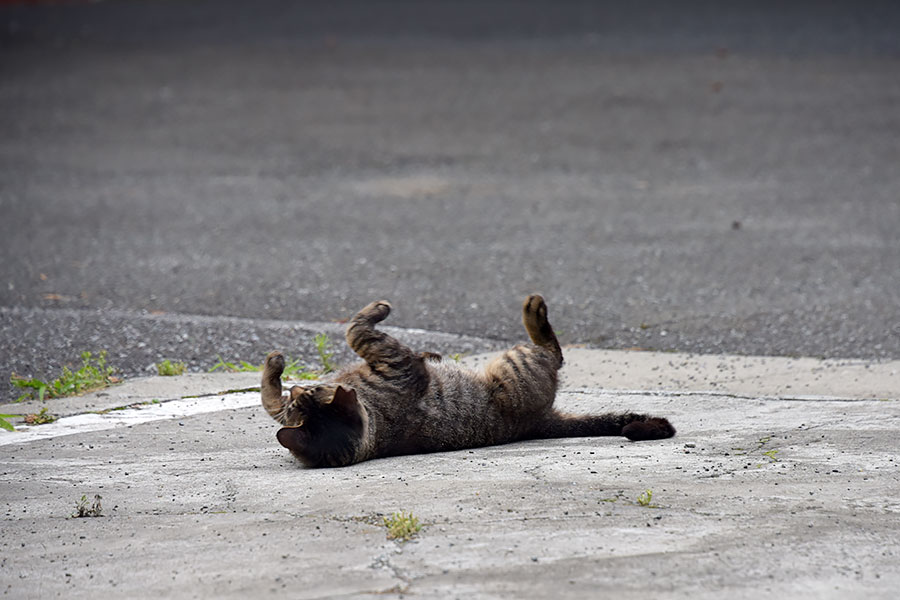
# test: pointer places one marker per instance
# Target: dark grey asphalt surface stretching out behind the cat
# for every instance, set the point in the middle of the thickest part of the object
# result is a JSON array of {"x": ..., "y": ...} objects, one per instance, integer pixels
[{"x": 698, "y": 176}]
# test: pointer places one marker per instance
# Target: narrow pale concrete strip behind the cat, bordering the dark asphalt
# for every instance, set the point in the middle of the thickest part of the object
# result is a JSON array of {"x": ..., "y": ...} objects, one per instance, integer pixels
[{"x": 620, "y": 371}]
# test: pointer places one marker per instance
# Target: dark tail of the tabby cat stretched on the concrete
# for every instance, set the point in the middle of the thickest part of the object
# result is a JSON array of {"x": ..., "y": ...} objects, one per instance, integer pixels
[{"x": 633, "y": 426}]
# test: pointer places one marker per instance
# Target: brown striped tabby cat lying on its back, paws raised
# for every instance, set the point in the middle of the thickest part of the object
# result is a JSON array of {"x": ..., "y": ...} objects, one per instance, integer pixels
[{"x": 399, "y": 402}]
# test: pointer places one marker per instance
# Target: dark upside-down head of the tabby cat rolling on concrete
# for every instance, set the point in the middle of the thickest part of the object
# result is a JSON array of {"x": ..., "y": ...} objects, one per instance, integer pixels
[{"x": 327, "y": 425}]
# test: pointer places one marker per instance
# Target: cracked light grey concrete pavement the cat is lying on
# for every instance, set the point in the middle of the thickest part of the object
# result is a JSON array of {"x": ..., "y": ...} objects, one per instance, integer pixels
[{"x": 766, "y": 490}]
